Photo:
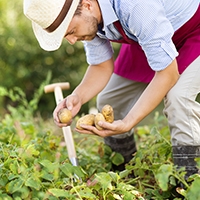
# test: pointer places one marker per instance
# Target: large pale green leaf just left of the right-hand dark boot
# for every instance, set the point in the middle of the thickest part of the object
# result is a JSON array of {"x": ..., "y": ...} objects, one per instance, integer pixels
[{"x": 162, "y": 176}]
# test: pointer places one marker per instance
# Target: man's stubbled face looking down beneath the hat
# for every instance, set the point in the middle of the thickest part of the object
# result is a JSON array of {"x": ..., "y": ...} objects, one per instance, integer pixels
[{"x": 82, "y": 27}]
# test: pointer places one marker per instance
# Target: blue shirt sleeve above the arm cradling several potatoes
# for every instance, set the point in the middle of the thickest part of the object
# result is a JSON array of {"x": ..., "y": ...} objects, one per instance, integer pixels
[{"x": 148, "y": 22}]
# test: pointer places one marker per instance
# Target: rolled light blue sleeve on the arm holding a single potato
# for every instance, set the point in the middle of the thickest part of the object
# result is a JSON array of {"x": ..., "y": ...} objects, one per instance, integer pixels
[{"x": 98, "y": 50}]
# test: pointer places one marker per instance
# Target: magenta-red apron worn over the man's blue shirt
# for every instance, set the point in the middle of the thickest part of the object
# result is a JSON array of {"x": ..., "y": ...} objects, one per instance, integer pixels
[{"x": 132, "y": 64}]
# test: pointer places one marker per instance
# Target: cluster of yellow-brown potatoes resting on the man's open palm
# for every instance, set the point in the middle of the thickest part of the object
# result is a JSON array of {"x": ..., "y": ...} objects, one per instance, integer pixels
[{"x": 106, "y": 114}]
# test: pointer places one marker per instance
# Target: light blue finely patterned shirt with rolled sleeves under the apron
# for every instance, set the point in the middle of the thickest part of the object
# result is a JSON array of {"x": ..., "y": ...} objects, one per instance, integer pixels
[{"x": 151, "y": 23}]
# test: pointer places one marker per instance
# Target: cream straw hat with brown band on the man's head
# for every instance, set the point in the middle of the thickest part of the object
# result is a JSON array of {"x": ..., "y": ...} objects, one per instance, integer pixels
[{"x": 50, "y": 20}]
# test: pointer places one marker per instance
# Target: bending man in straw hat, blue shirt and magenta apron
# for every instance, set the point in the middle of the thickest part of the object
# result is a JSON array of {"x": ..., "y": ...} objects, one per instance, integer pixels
[{"x": 161, "y": 40}]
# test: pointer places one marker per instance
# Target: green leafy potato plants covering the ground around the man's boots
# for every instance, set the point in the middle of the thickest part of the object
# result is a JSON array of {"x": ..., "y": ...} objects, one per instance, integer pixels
[{"x": 34, "y": 163}]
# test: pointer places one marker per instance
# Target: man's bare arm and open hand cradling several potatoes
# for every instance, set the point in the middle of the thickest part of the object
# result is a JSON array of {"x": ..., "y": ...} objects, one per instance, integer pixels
[{"x": 162, "y": 82}]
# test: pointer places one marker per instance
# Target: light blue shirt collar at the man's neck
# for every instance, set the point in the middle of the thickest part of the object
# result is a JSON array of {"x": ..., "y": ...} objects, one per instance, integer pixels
[{"x": 108, "y": 13}]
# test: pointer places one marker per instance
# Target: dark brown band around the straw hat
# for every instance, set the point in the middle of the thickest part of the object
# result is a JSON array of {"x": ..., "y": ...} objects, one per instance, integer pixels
[{"x": 60, "y": 17}]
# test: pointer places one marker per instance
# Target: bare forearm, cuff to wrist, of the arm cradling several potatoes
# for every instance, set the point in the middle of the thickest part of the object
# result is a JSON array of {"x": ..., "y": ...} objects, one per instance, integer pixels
[{"x": 153, "y": 95}]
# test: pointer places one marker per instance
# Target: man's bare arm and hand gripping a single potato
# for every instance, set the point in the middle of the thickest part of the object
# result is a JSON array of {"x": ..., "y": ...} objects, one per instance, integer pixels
[{"x": 94, "y": 80}]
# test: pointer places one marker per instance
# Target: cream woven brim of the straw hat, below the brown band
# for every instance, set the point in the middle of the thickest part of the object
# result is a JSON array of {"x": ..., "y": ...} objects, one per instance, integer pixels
[{"x": 52, "y": 41}]
